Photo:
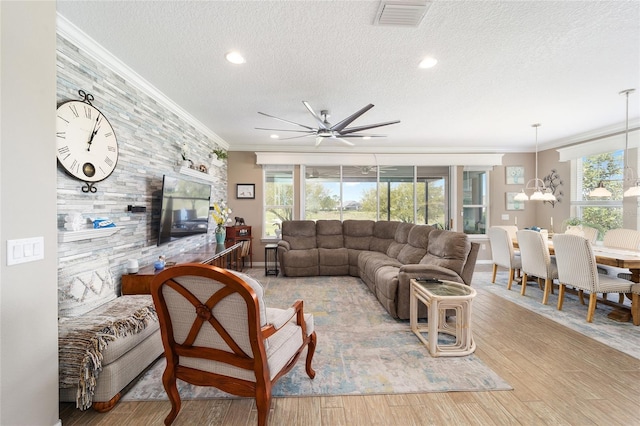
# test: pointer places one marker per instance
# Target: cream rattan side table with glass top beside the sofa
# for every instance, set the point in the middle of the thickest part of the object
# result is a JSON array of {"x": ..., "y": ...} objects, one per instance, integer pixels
[{"x": 438, "y": 296}]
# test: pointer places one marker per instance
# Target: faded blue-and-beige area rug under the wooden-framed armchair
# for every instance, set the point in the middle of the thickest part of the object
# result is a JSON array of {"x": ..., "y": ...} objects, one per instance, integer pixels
[{"x": 360, "y": 349}]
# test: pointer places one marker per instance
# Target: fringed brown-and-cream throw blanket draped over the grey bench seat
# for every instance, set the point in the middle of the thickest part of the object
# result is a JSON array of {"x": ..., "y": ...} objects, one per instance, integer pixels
[{"x": 81, "y": 341}]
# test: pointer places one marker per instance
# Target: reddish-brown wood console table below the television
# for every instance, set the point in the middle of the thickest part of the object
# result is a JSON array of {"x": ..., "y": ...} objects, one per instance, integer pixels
[{"x": 216, "y": 255}]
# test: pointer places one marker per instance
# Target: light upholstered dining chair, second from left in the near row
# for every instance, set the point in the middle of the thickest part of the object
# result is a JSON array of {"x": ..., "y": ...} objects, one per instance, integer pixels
[{"x": 536, "y": 261}]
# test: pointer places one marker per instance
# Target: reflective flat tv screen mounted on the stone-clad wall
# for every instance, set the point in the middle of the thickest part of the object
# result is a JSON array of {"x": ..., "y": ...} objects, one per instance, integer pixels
[{"x": 185, "y": 209}]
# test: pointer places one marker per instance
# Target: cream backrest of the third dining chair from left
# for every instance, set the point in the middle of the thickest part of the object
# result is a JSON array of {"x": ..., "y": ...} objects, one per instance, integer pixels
[{"x": 576, "y": 262}]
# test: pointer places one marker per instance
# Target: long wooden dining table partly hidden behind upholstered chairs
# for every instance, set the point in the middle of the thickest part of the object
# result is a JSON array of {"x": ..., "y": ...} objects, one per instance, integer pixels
[{"x": 619, "y": 258}]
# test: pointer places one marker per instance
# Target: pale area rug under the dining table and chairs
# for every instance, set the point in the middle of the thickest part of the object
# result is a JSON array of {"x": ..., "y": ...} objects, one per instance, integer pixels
[{"x": 623, "y": 336}]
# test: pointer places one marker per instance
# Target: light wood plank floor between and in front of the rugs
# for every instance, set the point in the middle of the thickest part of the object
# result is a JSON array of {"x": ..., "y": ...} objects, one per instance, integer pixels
[{"x": 559, "y": 377}]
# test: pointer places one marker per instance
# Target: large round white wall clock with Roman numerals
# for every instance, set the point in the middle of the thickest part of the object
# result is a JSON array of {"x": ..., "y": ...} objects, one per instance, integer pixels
[{"x": 87, "y": 147}]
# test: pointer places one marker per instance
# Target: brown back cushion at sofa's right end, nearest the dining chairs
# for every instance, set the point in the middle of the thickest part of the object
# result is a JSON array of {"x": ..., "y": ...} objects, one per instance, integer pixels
[{"x": 448, "y": 249}]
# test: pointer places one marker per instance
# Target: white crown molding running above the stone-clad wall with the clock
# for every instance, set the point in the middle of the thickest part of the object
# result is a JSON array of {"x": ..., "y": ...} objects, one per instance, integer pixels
[{"x": 97, "y": 52}]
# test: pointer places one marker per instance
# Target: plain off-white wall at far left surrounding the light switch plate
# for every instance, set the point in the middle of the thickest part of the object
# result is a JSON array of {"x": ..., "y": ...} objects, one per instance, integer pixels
[{"x": 28, "y": 292}]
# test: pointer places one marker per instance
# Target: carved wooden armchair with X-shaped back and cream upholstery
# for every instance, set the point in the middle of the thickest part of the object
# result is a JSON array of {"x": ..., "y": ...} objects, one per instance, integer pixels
[{"x": 217, "y": 331}]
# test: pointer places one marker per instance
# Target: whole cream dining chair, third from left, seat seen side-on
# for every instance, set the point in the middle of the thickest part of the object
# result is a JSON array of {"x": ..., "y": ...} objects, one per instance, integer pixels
[{"x": 577, "y": 268}]
